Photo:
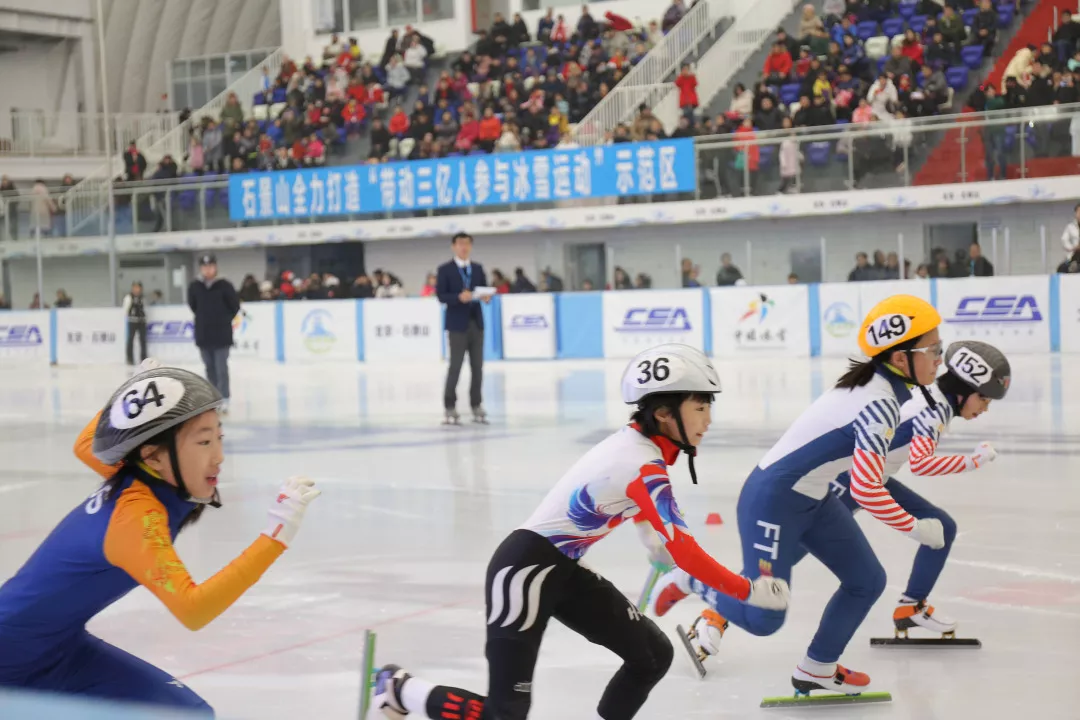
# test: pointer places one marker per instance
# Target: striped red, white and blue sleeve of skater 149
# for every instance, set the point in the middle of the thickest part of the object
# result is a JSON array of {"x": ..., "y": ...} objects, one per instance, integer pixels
[{"x": 875, "y": 428}]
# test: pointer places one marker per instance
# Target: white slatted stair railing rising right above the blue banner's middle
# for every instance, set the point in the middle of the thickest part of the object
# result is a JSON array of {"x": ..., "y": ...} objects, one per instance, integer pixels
[{"x": 658, "y": 66}]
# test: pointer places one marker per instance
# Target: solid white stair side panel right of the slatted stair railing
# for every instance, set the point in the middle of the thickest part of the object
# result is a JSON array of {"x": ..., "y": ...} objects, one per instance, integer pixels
[{"x": 752, "y": 28}]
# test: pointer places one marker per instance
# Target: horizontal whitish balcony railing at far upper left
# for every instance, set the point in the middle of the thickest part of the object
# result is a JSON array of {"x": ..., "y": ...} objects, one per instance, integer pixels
[{"x": 37, "y": 133}]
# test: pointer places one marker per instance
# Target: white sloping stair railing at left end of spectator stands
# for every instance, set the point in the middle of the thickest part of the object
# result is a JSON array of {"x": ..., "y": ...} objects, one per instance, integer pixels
[{"x": 86, "y": 203}]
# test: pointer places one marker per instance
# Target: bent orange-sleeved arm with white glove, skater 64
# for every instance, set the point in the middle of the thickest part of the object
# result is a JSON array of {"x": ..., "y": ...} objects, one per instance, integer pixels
[{"x": 139, "y": 542}]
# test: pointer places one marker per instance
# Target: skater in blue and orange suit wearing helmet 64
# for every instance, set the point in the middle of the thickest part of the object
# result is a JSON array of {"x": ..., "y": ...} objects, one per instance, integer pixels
[{"x": 158, "y": 444}]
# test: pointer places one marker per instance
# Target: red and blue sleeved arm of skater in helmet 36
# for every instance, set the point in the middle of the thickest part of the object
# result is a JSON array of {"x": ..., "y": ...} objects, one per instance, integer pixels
[{"x": 653, "y": 493}]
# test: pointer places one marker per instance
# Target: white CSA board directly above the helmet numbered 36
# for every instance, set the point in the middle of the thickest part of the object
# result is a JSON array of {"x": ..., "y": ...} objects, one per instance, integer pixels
[{"x": 636, "y": 321}]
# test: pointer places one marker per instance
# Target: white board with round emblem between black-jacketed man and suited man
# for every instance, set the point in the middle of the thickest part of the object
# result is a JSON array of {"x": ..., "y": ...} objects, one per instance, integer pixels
[{"x": 320, "y": 331}]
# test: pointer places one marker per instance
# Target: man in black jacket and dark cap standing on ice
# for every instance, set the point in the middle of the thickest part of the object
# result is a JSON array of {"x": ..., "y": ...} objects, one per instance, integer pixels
[{"x": 214, "y": 303}]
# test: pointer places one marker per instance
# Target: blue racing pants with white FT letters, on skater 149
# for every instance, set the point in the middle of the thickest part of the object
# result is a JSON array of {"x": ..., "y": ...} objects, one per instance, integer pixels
[{"x": 778, "y": 527}]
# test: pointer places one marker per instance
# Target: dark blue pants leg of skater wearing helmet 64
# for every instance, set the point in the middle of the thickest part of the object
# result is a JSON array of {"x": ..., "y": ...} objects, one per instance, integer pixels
[{"x": 96, "y": 669}]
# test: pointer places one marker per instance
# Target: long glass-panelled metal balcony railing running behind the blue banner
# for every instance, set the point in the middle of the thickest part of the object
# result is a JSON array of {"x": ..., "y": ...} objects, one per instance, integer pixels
[{"x": 1033, "y": 142}]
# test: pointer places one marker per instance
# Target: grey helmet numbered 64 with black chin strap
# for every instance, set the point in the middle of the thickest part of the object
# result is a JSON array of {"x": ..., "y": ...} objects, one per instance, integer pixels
[{"x": 146, "y": 406}]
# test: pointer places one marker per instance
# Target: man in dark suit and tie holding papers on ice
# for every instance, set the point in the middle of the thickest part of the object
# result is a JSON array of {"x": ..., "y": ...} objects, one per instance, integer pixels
[{"x": 465, "y": 323}]
